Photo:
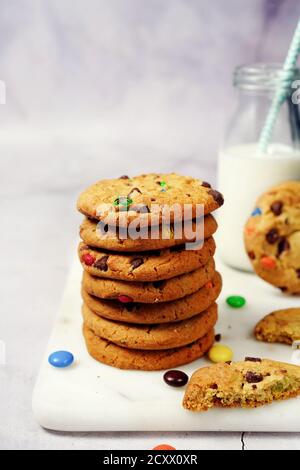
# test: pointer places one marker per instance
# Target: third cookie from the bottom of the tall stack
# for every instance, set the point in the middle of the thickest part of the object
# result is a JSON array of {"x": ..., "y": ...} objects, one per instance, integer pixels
[{"x": 173, "y": 311}]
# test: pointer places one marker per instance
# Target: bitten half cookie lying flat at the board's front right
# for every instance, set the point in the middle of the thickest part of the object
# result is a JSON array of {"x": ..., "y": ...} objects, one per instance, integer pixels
[{"x": 245, "y": 384}]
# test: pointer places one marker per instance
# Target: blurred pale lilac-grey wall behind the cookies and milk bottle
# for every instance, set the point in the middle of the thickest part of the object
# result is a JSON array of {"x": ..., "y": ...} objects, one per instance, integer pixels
[{"x": 153, "y": 72}]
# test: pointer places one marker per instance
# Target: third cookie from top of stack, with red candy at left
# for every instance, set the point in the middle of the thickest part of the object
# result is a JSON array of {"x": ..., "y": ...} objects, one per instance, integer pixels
[{"x": 147, "y": 267}]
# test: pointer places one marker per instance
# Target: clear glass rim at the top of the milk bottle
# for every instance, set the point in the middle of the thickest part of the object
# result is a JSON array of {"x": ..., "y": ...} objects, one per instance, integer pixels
[{"x": 263, "y": 76}]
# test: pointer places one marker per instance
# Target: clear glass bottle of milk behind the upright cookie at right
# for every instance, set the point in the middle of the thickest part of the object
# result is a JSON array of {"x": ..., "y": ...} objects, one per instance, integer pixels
[{"x": 243, "y": 172}]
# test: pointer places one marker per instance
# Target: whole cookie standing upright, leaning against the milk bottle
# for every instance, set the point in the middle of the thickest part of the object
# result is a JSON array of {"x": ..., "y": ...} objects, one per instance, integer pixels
[{"x": 272, "y": 237}]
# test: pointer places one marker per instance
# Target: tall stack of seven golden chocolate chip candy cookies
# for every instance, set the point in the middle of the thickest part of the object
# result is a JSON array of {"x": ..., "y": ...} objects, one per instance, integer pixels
[{"x": 149, "y": 303}]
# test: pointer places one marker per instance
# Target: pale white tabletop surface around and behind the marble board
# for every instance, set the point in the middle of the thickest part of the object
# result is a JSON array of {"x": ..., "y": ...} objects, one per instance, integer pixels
[{"x": 39, "y": 185}]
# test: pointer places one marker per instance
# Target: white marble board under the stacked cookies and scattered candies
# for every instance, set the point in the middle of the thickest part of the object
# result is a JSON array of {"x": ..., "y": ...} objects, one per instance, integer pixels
[{"x": 89, "y": 396}]
